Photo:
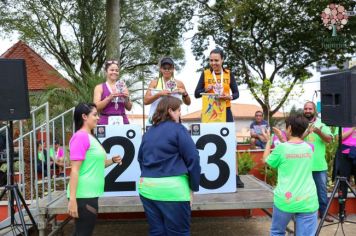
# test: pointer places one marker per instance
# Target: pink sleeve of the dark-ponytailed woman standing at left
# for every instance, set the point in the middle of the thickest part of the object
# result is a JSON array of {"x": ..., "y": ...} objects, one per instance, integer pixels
[{"x": 79, "y": 145}]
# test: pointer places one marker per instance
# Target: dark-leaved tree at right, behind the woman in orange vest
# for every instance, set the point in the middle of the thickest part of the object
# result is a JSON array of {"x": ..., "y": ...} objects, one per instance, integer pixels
[{"x": 269, "y": 44}]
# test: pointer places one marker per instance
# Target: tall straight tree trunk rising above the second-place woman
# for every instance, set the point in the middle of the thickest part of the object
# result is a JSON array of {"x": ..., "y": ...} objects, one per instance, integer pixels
[{"x": 113, "y": 29}]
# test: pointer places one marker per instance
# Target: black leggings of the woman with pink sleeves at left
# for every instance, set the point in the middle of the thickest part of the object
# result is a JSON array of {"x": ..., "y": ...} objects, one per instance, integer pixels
[{"x": 87, "y": 212}]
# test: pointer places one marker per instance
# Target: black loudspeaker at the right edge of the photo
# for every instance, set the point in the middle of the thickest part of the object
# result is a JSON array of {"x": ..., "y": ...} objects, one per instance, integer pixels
[{"x": 338, "y": 99}]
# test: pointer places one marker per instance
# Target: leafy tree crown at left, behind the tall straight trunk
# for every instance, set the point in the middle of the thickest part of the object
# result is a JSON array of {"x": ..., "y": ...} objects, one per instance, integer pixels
[{"x": 74, "y": 33}]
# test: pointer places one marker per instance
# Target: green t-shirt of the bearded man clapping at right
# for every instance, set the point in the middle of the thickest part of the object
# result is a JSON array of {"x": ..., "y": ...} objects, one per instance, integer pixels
[{"x": 319, "y": 162}]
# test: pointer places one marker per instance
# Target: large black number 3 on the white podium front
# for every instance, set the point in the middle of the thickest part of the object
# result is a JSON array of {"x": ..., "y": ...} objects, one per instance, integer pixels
[{"x": 224, "y": 171}]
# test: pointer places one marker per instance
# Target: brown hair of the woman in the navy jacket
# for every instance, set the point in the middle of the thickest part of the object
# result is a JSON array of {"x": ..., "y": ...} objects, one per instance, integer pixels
[{"x": 161, "y": 114}]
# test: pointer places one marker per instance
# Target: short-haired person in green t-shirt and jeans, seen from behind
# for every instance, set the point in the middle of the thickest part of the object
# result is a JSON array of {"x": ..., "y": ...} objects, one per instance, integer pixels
[{"x": 295, "y": 193}]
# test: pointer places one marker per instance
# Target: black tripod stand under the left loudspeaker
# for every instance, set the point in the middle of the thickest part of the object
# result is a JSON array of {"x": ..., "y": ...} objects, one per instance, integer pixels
[{"x": 15, "y": 195}]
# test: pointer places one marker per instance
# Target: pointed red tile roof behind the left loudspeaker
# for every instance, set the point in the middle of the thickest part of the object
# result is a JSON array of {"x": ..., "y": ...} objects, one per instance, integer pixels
[{"x": 40, "y": 74}]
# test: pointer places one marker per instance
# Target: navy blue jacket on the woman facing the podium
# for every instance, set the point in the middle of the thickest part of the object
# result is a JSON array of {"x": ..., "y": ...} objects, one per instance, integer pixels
[{"x": 168, "y": 150}]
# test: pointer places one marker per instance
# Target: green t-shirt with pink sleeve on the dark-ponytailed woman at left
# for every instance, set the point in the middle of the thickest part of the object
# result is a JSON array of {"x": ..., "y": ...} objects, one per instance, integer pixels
[{"x": 84, "y": 147}]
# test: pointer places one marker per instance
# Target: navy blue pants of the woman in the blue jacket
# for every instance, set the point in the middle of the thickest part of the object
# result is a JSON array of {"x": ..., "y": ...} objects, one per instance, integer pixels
[{"x": 167, "y": 218}]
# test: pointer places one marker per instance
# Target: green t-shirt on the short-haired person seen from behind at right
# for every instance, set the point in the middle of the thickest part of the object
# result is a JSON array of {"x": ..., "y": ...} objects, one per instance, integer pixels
[{"x": 295, "y": 191}]
